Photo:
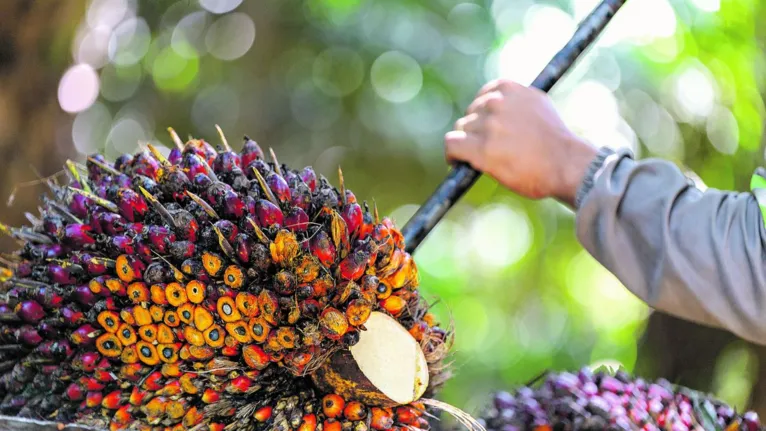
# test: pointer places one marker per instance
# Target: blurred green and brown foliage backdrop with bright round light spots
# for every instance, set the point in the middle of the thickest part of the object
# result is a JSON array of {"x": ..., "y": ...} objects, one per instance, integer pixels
[{"x": 373, "y": 86}]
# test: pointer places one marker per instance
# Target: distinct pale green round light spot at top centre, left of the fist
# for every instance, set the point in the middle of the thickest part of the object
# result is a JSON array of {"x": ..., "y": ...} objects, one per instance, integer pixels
[{"x": 396, "y": 77}]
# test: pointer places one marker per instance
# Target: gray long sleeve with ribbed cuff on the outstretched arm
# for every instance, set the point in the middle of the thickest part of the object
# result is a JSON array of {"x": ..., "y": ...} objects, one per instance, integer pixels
[{"x": 693, "y": 254}]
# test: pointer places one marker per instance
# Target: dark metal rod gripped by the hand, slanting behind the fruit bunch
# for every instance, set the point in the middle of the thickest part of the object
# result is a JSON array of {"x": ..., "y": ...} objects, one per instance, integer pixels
[{"x": 463, "y": 176}]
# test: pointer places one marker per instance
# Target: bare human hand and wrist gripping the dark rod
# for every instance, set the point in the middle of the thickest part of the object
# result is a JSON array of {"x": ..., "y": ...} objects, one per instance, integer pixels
[{"x": 514, "y": 134}]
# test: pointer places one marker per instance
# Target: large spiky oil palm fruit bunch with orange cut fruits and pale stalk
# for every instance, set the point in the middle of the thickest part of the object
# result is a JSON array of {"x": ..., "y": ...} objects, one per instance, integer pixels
[{"x": 213, "y": 290}]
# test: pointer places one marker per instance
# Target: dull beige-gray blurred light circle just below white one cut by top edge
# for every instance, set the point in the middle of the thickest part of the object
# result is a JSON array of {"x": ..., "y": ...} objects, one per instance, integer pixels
[{"x": 231, "y": 36}]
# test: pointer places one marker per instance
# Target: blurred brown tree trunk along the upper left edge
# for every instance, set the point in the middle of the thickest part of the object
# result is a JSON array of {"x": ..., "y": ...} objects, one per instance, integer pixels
[{"x": 32, "y": 34}]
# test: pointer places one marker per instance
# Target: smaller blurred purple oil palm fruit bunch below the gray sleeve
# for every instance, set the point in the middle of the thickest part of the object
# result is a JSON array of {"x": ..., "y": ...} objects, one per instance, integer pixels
[{"x": 605, "y": 400}]
